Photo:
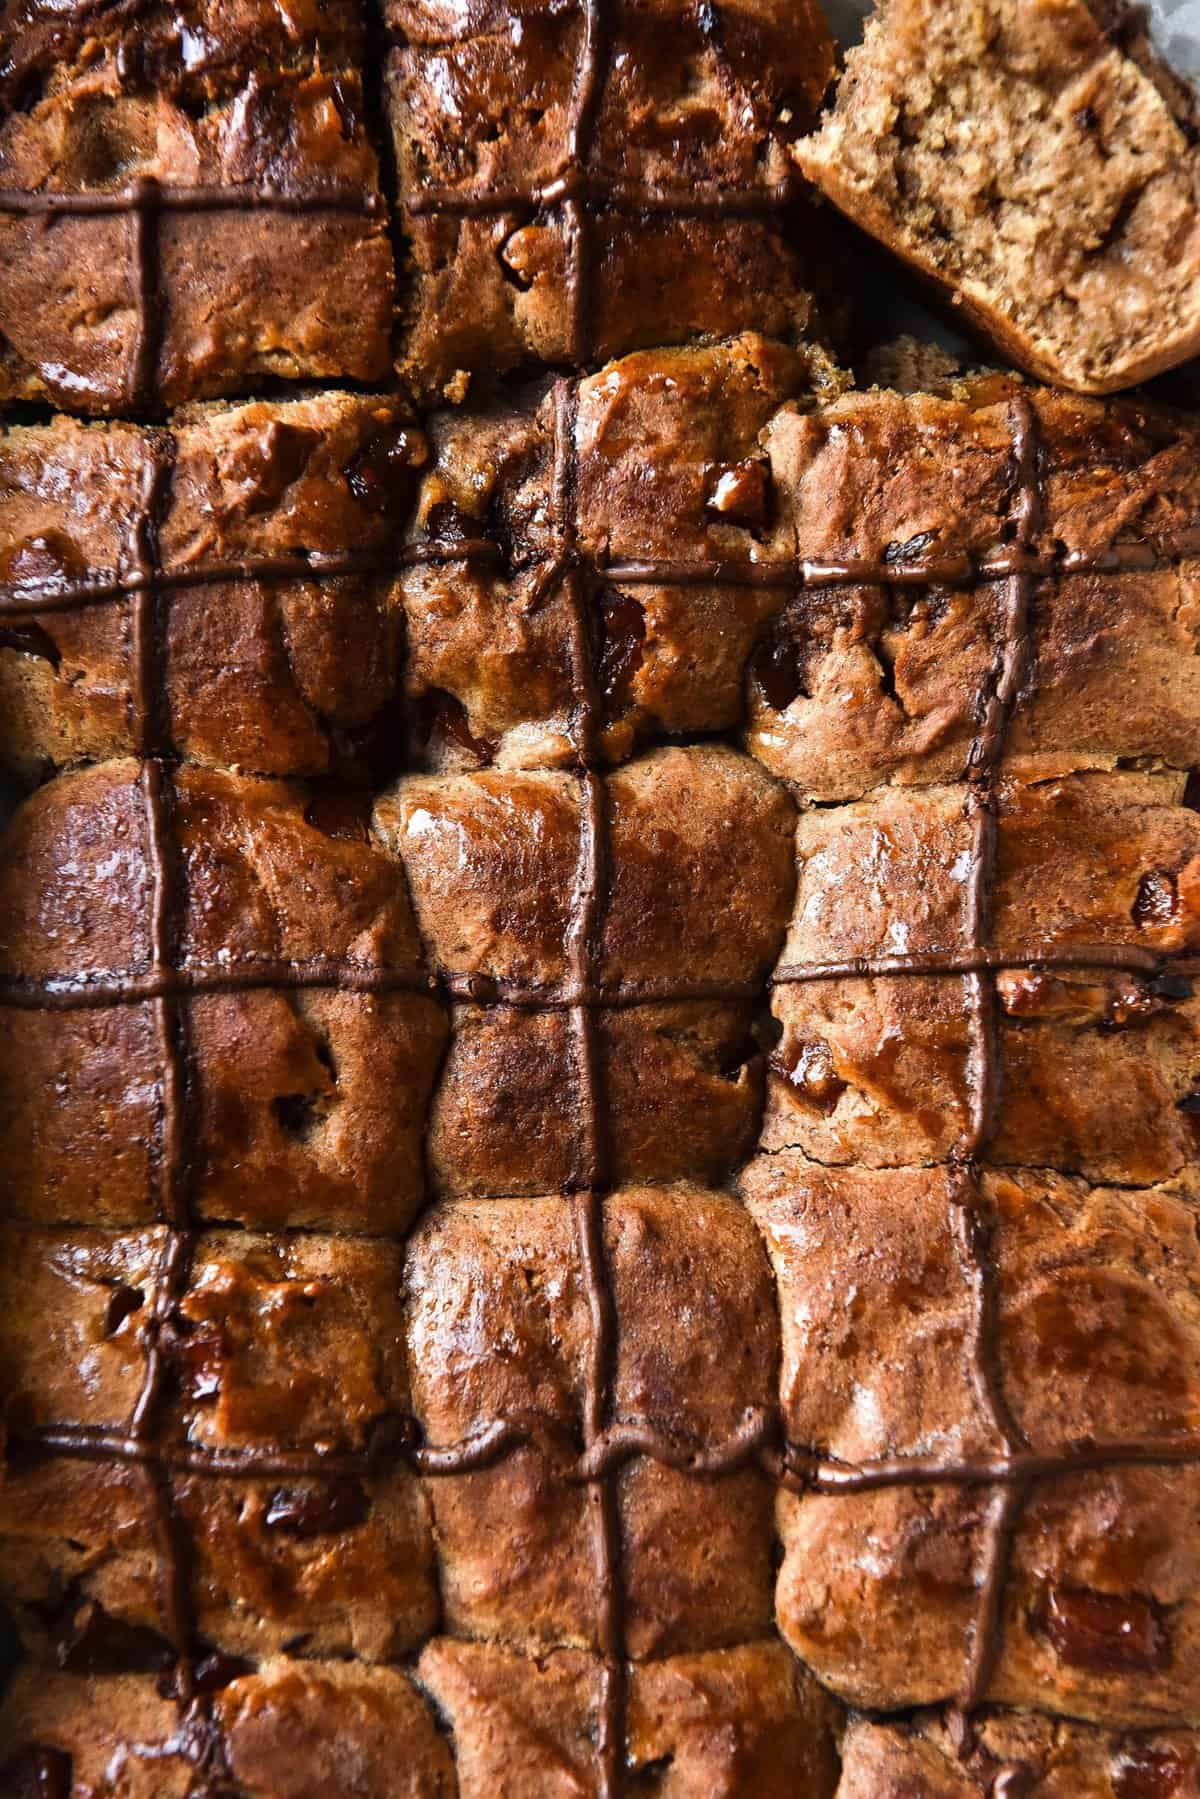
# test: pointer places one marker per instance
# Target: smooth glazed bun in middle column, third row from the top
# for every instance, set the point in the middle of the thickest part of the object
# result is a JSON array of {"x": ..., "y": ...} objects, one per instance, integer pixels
[{"x": 676, "y": 1017}]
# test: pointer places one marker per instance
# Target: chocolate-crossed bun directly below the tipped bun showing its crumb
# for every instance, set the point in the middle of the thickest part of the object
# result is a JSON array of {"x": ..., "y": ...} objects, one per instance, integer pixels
[{"x": 882, "y": 681}]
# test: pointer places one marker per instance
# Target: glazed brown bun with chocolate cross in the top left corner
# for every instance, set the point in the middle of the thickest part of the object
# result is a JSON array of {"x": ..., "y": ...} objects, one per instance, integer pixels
[{"x": 192, "y": 204}]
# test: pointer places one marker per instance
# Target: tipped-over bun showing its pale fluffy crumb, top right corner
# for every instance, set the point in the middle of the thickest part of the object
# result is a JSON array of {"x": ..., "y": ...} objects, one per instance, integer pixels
[{"x": 1035, "y": 161}]
